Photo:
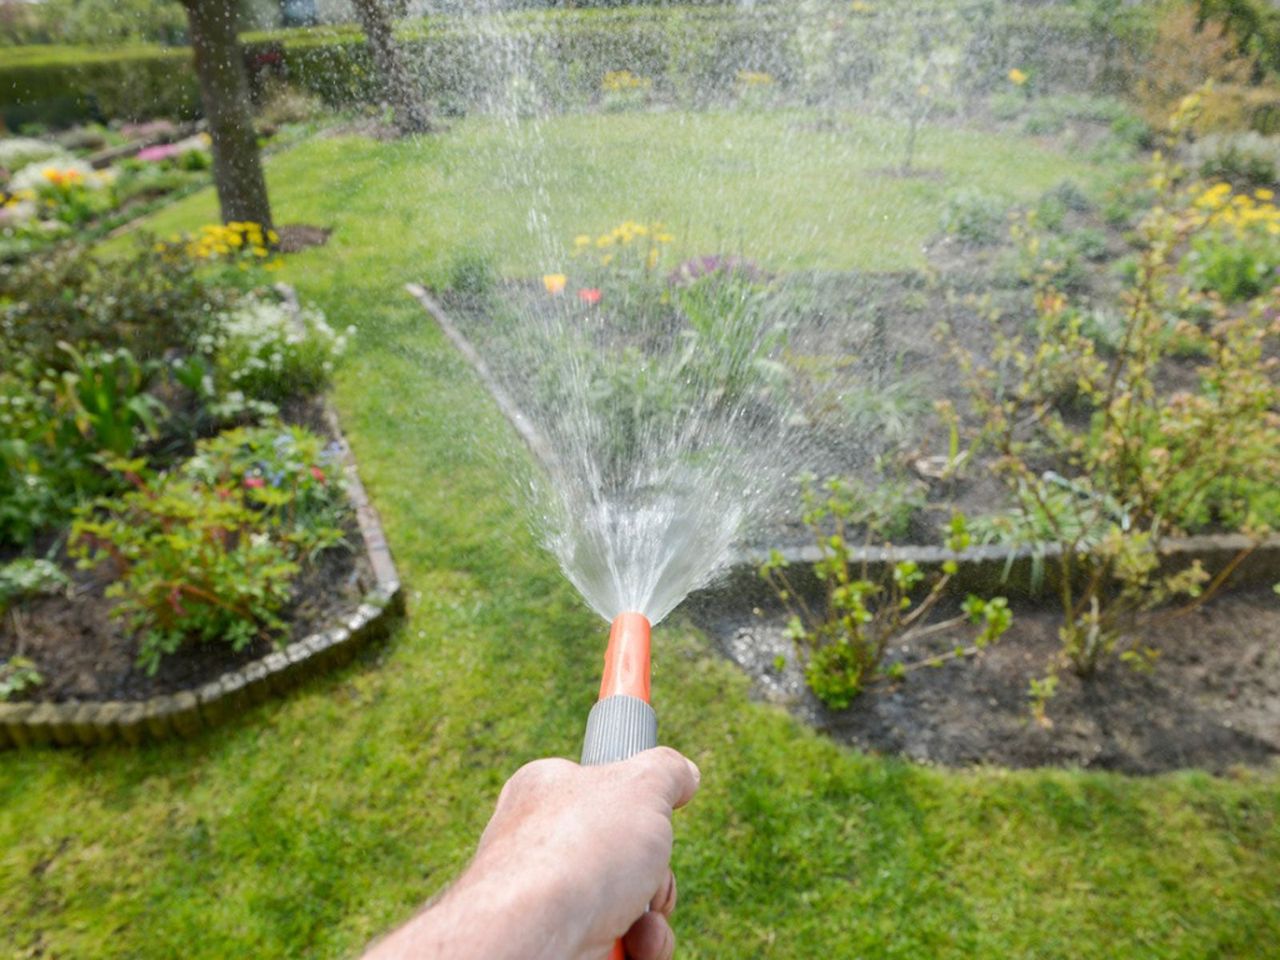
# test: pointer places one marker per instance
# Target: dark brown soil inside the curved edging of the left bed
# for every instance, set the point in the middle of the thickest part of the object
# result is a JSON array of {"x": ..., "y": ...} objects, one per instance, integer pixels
[{"x": 84, "y": 655}]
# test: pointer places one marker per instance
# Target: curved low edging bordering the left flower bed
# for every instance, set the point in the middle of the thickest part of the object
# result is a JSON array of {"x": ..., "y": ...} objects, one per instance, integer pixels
[{"x": 188, "y": 714}]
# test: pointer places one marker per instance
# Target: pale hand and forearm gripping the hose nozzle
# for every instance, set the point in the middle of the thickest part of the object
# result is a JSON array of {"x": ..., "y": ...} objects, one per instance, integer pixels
[{"x": 573, "y": 860}]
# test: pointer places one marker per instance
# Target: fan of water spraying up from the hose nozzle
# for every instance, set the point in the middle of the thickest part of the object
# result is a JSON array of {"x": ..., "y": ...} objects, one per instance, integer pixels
[{"x": 638, "y": 525}]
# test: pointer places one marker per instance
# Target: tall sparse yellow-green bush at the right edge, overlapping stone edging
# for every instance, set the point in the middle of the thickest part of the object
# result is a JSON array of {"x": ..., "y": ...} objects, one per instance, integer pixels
[{"x": 1149, "y": 460}]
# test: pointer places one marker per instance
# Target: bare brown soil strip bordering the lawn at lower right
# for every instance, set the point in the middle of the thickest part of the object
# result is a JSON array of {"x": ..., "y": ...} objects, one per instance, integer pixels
[{"x": 1212, "y": 701}]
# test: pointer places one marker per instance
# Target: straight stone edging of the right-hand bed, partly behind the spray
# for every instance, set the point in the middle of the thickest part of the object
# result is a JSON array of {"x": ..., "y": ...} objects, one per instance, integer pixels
[{"x": 990, "y": 569}]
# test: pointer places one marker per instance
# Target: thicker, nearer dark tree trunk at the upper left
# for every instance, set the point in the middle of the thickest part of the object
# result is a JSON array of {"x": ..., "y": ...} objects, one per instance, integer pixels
[{"x": 225, "y": 93}]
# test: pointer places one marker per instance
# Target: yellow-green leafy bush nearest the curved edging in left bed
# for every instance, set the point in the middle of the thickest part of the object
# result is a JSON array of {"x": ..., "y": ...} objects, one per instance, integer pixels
[{"x": 200, "y": 557}]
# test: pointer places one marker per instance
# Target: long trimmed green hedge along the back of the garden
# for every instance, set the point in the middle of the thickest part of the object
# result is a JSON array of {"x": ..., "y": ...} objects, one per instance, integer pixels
[{"x": 555, "y": 58}]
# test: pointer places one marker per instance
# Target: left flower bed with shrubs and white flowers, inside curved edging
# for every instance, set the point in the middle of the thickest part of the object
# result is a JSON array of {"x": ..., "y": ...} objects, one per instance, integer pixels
[{"x": 173, "y": 499}]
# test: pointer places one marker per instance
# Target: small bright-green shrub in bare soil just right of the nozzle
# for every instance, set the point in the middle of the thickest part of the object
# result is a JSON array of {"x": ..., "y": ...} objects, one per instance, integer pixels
[{"x": 844, "y": 643}]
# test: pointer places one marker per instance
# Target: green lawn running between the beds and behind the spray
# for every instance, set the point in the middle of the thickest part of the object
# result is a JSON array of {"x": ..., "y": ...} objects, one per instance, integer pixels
[{"x": 314, "y": 824}]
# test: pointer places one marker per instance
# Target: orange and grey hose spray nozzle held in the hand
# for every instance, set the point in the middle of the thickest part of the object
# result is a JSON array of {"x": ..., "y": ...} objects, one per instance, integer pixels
[{"x": 623, "y": 723}]
